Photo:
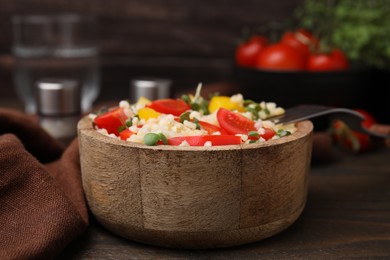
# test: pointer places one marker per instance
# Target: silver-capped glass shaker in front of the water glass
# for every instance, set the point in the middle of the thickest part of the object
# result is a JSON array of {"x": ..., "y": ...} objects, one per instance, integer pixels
[{"x": 59, "y": 107}]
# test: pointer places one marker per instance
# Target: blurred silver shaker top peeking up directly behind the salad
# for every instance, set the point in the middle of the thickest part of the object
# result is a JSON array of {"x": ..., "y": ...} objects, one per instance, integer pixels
[{"x": 150, "y": 88}]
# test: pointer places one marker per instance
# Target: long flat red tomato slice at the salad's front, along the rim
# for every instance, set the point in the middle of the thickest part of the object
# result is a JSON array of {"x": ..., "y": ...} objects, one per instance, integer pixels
[{"x": 200, "y": 140}]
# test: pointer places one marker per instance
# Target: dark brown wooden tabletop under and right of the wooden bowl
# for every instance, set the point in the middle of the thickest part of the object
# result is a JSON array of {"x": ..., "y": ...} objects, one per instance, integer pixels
[{"x": 347, "y": 215}]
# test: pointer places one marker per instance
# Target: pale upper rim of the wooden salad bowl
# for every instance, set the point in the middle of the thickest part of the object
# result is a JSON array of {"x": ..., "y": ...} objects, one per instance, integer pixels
[{"x": 85, "y": 127}]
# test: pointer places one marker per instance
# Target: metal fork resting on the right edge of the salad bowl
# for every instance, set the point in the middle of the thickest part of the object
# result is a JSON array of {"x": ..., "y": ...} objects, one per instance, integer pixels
[{"x": 303, "y": 112}]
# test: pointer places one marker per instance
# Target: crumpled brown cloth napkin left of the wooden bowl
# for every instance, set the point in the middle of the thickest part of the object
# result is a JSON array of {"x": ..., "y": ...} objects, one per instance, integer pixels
[{"x": 42, "y": 205}]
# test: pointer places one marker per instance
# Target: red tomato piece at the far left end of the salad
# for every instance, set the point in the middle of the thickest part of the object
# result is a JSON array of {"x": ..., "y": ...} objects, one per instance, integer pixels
[{"x": 111, "y": 120}]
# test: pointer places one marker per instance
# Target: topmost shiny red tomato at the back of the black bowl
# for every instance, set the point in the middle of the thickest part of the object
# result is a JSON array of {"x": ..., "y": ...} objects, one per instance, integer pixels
[{"x": 301, "y": 40}]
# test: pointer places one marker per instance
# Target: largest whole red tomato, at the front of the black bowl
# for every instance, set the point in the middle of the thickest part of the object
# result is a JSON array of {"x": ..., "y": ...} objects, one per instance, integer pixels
[{"x": 281, "y": 56}]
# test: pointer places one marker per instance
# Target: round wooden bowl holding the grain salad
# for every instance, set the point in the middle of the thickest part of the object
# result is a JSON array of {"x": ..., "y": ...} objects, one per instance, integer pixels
[{"x": 195, "y": 197}]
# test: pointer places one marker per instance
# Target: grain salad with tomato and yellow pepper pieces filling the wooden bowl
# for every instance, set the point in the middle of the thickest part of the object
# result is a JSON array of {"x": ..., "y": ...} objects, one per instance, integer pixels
[{"x": 192, "y": 121}]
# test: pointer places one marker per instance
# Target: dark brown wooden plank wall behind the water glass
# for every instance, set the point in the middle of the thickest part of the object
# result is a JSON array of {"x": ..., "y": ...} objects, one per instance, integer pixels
[{"x": 189, "y": 41}]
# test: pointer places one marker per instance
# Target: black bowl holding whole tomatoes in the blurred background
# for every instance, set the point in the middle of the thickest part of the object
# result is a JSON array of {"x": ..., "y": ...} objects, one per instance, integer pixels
[{"x": 357, "y": 87}]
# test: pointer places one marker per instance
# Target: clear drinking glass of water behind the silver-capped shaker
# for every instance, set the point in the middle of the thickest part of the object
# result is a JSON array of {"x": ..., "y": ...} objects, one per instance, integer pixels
[{"x": 55, "y": 46}]
